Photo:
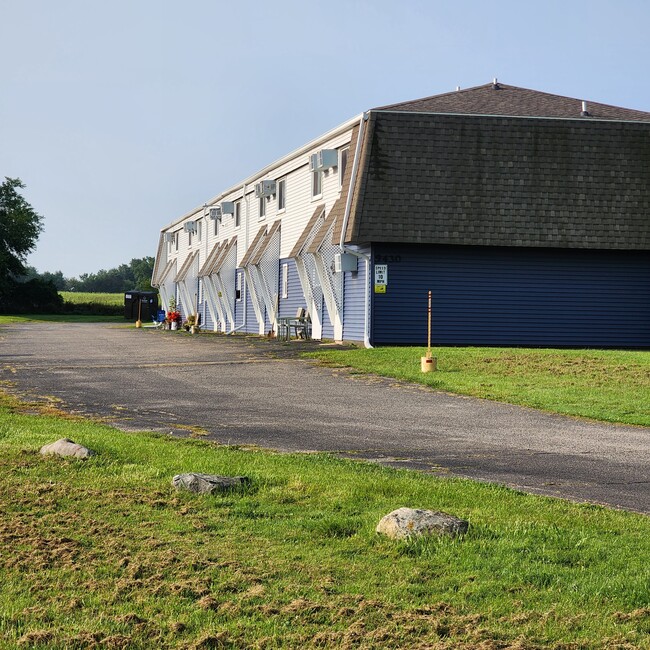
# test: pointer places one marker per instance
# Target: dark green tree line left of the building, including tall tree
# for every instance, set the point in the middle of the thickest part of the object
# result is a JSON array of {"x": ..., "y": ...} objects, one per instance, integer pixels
[{"x": 22, "y": 288}]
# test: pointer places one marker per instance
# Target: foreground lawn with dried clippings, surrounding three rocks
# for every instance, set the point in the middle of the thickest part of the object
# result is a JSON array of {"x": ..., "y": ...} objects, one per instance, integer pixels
[{"x": 106, "y": 554}]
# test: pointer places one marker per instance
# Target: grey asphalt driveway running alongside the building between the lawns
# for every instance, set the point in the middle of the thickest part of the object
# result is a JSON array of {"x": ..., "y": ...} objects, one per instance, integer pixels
[{"x": 243, "y": 390}]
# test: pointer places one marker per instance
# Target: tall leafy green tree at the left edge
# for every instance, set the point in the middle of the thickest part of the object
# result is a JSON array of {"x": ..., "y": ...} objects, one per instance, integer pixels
[{"x": 20, "y": 226}]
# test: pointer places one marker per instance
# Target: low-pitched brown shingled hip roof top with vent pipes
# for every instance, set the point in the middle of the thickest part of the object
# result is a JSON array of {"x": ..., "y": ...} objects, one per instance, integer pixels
[{"x": 511, "y": 100}]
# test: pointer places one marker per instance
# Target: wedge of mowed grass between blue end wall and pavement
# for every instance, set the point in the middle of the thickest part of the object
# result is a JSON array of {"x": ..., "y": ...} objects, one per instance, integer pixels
[{"x": 610, "y": 385}]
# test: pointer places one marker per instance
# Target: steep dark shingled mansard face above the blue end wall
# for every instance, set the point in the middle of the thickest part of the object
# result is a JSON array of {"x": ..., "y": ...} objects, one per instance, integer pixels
[{"x": 503, "y": 181}]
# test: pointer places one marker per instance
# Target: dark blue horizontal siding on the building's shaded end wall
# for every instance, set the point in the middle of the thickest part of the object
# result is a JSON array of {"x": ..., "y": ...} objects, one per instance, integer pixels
[{"x": 513, "y": 296}]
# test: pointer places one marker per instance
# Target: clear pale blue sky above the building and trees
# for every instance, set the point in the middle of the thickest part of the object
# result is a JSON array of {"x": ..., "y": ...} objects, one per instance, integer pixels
[{"x": 122, "y": 115}]
